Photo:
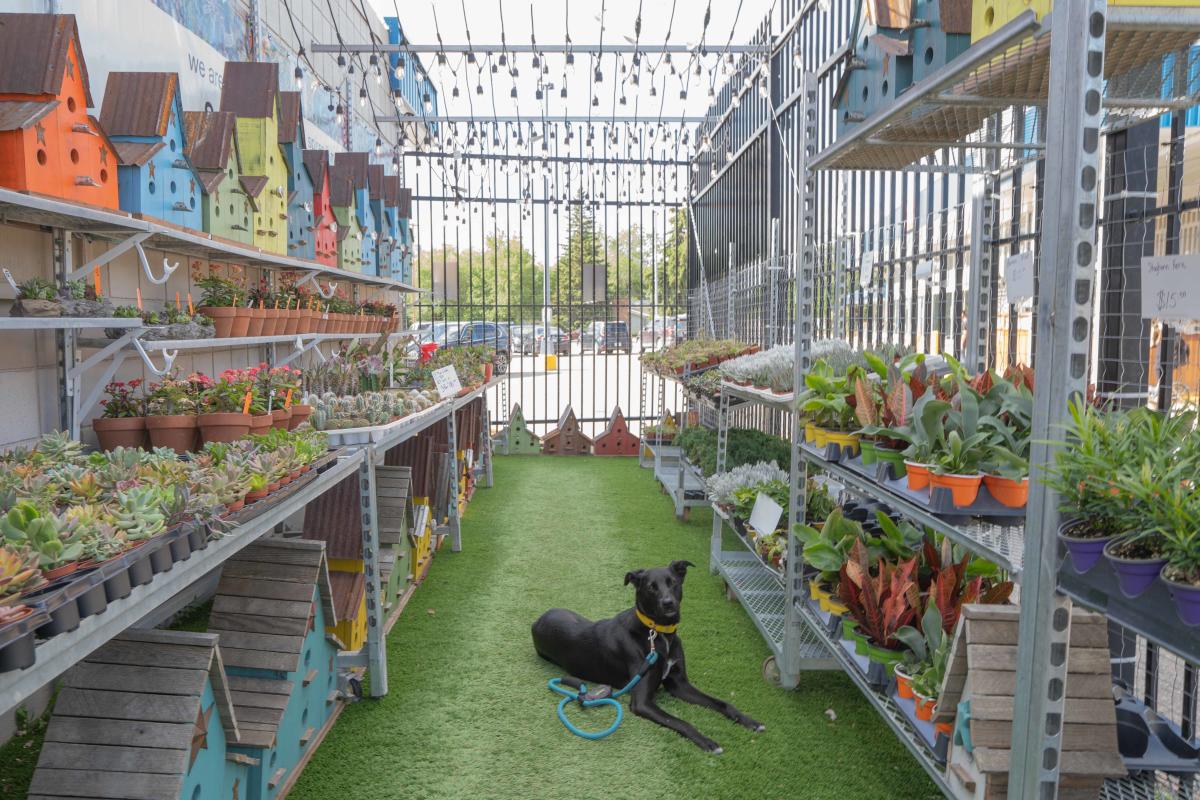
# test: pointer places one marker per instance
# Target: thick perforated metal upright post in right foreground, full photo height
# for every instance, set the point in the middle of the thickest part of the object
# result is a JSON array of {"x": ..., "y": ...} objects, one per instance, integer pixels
[{"x": 1065, "y": 317}]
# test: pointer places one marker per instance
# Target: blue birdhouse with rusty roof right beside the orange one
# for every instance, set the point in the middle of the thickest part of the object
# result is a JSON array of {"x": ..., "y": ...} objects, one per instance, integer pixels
[{"x": 145, "y": 119}]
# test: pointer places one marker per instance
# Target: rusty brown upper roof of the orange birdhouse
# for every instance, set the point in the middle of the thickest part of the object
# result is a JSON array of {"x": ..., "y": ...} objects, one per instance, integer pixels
[{"x": 34, "y": 55}]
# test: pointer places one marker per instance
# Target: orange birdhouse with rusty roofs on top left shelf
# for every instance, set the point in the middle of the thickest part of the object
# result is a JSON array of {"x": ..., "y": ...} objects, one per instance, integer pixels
[{"x": 49, "y": 143}]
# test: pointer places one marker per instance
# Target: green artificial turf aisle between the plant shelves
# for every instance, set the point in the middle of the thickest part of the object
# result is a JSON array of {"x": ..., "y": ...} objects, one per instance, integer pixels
[{"x": 470, "y": 714}]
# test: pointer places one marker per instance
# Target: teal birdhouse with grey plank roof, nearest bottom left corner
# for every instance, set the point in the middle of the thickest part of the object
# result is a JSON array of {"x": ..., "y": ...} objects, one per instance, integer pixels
[{"x": 151, "y": 714}]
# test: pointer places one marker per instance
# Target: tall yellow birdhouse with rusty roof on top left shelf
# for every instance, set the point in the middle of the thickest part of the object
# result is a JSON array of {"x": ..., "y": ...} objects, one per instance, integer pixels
[{"x": 251, "y": 91}]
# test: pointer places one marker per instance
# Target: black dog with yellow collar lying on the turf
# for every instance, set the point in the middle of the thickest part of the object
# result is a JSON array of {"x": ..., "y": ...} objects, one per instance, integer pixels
[{"x": 614, "y": 651}]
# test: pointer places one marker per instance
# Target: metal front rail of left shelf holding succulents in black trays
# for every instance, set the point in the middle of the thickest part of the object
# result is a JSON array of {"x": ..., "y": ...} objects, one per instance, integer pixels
[{"x": 61, "y": 653}]
